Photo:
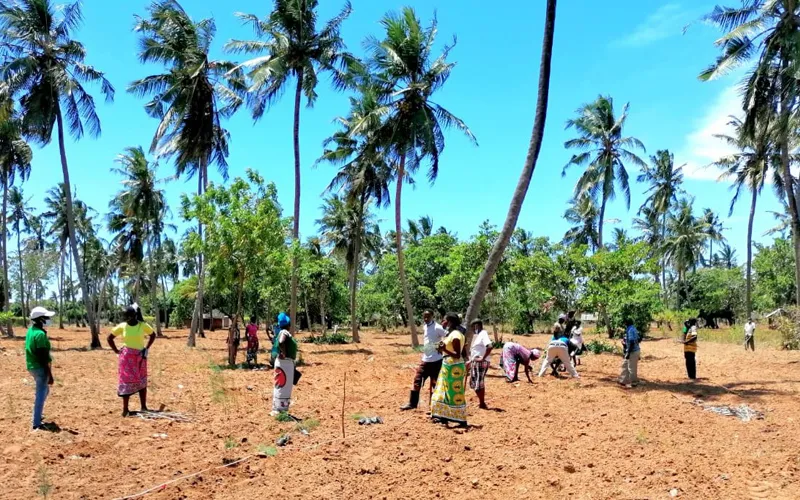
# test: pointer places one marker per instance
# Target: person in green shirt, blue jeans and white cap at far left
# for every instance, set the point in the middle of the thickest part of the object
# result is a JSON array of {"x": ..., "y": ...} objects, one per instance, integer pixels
[{"x": 38, "y": 360}]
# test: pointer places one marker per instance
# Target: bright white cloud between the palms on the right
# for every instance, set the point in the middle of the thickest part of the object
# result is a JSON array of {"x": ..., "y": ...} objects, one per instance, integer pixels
[{"x": 701, "y": 148}]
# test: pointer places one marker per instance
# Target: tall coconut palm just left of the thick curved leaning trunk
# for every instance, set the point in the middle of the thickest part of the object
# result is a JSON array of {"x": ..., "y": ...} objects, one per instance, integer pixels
[{"x": 413, "y": 128}]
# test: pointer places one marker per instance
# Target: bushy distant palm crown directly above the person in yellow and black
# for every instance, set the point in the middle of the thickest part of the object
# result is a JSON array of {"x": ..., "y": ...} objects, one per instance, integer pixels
[{"x": 686, "y": 239}]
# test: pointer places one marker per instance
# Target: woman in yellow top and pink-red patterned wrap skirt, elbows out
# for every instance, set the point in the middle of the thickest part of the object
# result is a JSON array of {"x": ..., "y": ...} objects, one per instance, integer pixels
[{"x": 132, "y": 374}]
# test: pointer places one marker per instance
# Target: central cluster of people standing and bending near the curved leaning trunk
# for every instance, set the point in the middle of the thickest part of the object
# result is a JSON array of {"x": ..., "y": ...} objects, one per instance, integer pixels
[{"x": 447, "y": 364}]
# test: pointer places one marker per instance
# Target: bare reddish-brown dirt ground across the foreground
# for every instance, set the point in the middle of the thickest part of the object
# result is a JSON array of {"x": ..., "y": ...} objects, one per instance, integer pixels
[{"x": 556, "y": 438}]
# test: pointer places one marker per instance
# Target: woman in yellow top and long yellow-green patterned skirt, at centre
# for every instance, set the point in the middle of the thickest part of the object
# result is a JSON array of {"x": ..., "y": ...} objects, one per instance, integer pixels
[{"x": 449, "y": 403}]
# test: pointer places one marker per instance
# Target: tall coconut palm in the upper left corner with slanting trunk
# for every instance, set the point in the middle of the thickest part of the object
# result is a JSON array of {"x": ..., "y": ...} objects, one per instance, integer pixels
[{"x": 46, "y": 69}]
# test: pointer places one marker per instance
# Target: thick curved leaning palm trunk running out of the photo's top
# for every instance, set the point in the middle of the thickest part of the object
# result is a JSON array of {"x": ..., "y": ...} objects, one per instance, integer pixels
[{"x": 521, "y": 190}]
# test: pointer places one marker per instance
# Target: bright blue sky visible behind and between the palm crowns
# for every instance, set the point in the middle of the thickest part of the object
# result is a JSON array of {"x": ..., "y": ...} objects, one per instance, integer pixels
[{"x": 633, "y": 50}]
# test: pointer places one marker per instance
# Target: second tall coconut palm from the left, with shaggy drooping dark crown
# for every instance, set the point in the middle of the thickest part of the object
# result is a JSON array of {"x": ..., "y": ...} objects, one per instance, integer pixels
[{"x": 190, "y": 99}]
